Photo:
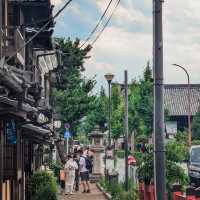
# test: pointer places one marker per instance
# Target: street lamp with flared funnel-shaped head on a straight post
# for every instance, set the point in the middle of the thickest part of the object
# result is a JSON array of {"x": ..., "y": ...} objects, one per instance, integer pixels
[{"x": 109, "y": 77}]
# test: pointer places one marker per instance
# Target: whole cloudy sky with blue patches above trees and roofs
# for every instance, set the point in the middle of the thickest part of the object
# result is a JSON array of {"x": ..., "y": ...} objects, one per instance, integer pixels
[{"x": 126, "y": 43}]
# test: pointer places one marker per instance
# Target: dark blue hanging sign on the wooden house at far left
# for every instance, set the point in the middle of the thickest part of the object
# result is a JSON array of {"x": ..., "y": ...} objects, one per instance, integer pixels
[{"x": 11, "y": 131}]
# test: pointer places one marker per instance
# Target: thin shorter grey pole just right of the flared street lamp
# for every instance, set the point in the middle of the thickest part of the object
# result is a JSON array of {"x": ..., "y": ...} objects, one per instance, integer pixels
[{"x": 126, "y": 127}]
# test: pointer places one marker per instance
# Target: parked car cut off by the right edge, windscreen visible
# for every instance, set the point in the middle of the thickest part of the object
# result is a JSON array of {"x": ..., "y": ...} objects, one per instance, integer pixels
[{"x": 194, "y": 165}]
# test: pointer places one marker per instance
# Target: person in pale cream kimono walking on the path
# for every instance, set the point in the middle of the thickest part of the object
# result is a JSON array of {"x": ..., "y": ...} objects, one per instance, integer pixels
[{"x": 70, "y": 168}]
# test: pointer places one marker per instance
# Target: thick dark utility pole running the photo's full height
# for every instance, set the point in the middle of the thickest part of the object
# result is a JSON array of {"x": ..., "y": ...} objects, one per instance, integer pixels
[{"x": 159, "y": 153}]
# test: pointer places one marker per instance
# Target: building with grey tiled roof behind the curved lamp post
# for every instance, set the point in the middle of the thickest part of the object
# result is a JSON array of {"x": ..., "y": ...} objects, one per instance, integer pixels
[{"x": 176, "y": 103}]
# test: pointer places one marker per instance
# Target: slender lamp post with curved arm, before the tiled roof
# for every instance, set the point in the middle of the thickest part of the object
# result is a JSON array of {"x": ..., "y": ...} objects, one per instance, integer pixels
[{"x": 189, "y": 104}]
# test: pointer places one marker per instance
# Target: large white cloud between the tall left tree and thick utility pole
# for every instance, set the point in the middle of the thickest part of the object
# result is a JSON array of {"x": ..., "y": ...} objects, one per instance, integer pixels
[{"x": 117, "y": 50}]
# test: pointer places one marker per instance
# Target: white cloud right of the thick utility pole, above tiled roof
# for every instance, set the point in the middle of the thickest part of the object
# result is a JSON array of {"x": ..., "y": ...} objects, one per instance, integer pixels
[{"x": 181, "y": 39}]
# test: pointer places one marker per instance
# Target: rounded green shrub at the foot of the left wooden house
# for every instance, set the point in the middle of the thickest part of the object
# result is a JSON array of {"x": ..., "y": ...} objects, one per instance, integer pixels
[{"x": 43, "y": 186}]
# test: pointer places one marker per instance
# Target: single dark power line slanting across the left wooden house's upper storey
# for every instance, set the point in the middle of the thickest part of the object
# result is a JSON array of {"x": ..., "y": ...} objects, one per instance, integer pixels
[{"x": 40, "y": 30}]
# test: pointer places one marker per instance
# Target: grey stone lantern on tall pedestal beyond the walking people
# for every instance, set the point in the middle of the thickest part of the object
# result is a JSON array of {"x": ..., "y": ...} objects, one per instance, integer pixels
[{"x": 97, "y": 146}]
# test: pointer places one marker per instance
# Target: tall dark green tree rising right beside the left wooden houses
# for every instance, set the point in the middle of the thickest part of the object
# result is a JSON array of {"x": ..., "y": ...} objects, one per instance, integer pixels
[{"x": 72, "y": 96}]
